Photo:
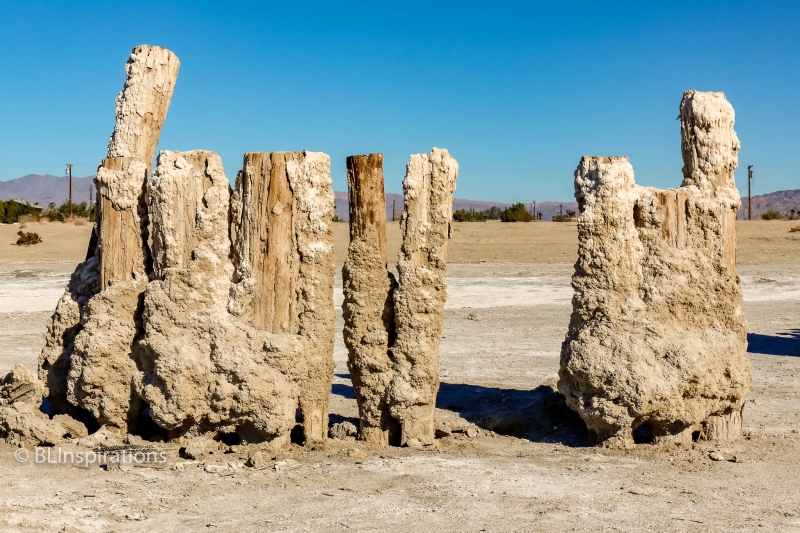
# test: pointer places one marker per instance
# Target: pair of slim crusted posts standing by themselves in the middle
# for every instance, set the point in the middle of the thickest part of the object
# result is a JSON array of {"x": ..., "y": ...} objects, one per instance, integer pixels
[{"x": 393, "y": 331}]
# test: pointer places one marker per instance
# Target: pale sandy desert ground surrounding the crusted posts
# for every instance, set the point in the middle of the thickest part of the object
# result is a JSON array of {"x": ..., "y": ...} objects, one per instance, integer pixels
[{"x": 507, "y": 313}]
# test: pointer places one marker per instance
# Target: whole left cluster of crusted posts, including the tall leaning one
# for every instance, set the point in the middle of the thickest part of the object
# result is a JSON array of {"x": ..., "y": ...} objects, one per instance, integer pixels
[{"x": 225, "y": 326}]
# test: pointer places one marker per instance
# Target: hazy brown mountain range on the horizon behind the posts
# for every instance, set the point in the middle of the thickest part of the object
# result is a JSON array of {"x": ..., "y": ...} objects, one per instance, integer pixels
[{"x": 44, "y": 189}]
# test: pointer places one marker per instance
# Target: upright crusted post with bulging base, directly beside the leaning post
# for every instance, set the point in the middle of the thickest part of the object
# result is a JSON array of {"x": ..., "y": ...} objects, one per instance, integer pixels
[{"x": 202, "y": 371}]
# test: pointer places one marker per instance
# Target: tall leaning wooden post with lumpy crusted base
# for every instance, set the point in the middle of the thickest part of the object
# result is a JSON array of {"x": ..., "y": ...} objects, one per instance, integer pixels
[{"x": 103, "y": 365}]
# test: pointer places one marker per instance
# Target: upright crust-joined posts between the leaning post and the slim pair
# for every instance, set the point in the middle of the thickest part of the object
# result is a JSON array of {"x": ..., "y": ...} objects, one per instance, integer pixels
[{"x": 239, "y": 331}]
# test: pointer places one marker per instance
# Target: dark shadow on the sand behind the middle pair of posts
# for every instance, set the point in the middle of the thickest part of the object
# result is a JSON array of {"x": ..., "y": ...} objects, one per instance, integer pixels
[{"x": 538, "y": 415}]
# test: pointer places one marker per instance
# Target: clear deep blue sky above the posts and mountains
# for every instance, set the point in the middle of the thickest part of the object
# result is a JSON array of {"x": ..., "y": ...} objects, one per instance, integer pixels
[{"x": 517, "y": 92}]
